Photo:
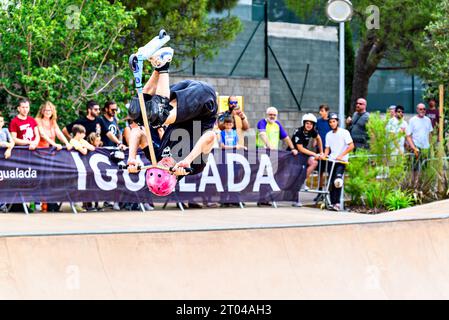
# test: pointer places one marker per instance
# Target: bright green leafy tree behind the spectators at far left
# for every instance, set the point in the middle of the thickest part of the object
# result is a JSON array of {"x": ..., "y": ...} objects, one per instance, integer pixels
[{"x": 64, "y": 51}]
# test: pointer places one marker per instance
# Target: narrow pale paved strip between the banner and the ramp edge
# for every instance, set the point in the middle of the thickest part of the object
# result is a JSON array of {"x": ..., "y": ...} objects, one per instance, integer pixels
[{"x": 172, "y": 219}]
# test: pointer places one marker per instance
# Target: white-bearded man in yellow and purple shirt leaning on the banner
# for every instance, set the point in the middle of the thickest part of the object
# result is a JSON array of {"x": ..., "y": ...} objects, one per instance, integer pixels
[{"x": 270, "y": 132}]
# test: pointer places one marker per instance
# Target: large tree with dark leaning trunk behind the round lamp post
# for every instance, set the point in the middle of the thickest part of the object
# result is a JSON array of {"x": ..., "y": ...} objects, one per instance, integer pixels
[{"x": 397, "y": 40}]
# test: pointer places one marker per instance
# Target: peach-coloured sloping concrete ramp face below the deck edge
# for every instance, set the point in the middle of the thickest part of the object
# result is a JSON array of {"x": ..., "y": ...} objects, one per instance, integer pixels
[{"x": 382, "y": 260}]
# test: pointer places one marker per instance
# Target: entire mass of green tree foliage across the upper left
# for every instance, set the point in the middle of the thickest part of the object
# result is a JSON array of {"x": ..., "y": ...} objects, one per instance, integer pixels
[{"x": 71, "y": 51}]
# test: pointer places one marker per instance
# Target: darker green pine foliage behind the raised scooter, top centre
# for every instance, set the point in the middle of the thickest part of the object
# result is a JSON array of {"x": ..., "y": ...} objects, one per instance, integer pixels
[{"x": 193, "y": 32}]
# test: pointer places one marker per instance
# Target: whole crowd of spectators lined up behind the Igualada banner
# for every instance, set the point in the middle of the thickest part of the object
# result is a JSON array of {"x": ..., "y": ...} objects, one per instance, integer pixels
[{"x": 319, "y": 138}]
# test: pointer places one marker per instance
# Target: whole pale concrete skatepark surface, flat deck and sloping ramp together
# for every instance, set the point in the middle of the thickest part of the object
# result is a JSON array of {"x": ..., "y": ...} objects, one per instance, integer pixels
[{"x": 283, "y": 253}]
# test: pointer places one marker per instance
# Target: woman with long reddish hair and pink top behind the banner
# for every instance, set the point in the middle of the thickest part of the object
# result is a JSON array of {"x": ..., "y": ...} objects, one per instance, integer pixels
[{"x": 48, "y": 128}]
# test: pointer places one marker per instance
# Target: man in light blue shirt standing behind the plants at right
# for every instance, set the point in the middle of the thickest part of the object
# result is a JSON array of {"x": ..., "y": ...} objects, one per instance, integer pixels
[{"x": 419, "y": 134}]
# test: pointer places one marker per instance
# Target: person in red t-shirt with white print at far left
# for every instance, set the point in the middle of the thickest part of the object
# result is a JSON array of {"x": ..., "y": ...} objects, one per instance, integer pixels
[{"x": 24, "y": 129}]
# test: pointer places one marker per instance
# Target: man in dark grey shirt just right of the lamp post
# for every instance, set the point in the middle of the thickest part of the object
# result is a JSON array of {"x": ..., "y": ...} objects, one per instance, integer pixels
[{"x": 357, "y": 124}]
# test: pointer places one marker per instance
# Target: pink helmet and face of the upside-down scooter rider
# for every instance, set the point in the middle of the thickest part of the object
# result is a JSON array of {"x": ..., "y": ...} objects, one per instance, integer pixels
[{"x": 161, "y": 182}]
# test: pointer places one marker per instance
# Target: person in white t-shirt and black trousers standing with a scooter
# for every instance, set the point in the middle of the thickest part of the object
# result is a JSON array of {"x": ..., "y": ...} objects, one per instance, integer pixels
[{"x": 338, "y": 146}]
